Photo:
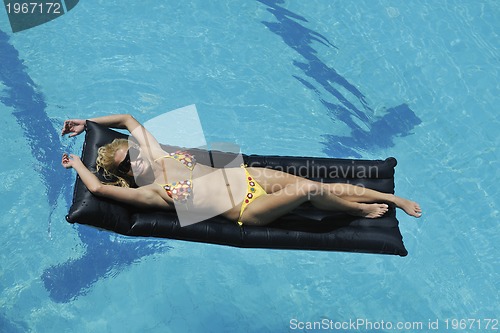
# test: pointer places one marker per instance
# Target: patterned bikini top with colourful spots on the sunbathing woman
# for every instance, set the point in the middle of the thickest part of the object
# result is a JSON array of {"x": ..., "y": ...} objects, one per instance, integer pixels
[{"x": 180, "y": 191}]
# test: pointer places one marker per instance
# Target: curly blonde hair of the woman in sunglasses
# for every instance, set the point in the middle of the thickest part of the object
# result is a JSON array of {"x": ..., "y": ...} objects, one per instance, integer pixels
[{"x": 106, "y": 162}]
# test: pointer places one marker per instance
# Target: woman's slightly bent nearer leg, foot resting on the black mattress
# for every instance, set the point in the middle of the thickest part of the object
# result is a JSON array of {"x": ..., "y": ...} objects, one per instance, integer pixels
[{"x": 269, "y": 207}]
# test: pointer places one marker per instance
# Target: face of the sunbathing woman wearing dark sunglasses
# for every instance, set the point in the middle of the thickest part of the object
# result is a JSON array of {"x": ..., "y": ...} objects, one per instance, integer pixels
[{"x": 130, "y": 161}]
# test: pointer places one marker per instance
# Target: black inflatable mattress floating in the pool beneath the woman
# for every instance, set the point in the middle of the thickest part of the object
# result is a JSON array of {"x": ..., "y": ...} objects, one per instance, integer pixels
[{"x": 305, "y": 228}]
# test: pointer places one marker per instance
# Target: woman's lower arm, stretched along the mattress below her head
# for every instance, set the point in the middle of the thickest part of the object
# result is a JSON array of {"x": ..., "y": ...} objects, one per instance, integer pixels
[{"x": 140, "y": 197}]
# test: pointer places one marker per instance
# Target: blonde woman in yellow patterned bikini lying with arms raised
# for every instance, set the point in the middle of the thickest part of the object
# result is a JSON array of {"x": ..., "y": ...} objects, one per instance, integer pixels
[{"x": 253, "y": 196}]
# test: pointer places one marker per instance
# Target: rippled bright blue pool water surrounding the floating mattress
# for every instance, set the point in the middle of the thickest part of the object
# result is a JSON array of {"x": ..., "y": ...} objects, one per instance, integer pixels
[{"x": 363, "y": 79}]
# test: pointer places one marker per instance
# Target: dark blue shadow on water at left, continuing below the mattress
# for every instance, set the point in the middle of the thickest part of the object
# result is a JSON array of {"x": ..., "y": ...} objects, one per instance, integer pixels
[{"x": 103, "y": 256}]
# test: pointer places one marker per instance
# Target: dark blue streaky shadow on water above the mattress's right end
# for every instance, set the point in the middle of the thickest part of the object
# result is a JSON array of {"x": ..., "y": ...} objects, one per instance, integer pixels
[{"x": 367, "y": 131}]
